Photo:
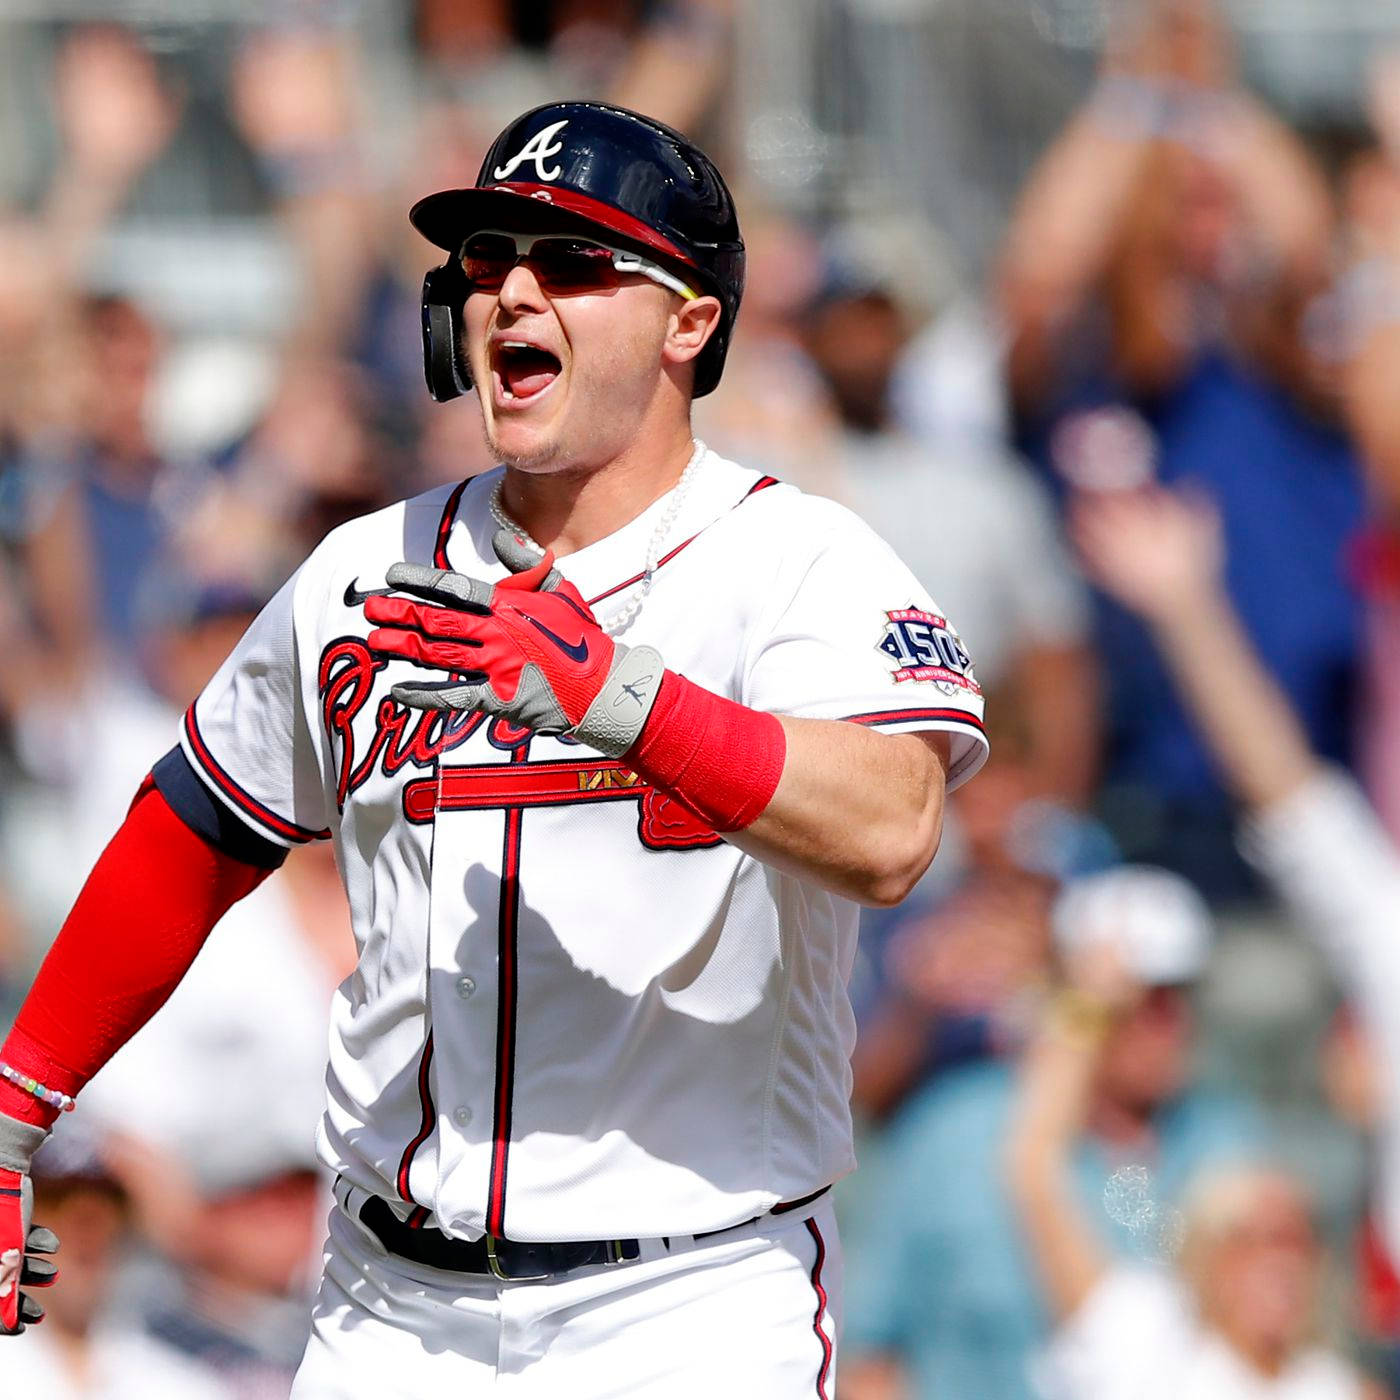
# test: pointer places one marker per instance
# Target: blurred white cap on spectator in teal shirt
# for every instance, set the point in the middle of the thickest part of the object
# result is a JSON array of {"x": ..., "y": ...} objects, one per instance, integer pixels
[{"x": 1158, "y": 920}]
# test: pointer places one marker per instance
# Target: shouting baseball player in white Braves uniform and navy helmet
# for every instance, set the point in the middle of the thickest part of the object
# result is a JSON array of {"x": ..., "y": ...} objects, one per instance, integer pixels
[{"x": 611, "y": 744}]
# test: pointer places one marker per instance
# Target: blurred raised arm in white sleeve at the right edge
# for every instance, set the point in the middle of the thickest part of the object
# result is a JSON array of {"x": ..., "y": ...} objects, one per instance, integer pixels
[{"x": 1308, "y": 828}]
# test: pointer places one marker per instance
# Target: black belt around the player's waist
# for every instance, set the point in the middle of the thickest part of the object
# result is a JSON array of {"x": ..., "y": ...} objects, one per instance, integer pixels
[{"x": 513, "y": 1259}]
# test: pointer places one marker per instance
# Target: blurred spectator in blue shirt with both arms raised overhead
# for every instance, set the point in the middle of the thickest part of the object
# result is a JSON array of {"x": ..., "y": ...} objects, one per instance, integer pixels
[{"x": 1157, "y": 281}]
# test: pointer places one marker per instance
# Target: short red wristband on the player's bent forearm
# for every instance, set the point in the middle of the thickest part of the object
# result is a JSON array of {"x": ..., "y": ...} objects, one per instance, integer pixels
[{"x": 720, "y": 758}]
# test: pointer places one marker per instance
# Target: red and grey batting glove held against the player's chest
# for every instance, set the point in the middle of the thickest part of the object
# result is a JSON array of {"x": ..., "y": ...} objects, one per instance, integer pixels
[{"x": 528, "y": 650}]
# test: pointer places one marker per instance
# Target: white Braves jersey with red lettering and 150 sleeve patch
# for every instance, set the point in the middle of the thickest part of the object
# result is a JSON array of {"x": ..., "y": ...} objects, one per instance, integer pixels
[{"x": 579, "y": 1014}]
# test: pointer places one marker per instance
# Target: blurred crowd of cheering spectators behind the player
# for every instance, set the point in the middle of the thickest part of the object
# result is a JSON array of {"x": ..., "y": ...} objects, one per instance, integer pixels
[{"x": 1129, "y": 1069}]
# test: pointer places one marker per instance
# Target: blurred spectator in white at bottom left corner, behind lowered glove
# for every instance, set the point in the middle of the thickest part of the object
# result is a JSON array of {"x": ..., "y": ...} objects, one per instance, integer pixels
[{"x": 89, "y": 1347}]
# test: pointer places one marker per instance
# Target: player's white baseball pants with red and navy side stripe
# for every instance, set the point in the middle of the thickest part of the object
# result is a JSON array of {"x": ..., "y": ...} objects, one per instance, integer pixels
[{"x": 747, "y": 1315}]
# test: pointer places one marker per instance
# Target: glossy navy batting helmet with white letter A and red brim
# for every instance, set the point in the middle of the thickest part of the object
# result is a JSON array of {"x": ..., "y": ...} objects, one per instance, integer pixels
[{"x": 586, "y": 167}]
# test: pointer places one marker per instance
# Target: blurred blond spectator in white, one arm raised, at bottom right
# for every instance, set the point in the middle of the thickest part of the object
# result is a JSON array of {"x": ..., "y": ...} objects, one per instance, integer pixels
[{"x": 1235, "y": 1321}]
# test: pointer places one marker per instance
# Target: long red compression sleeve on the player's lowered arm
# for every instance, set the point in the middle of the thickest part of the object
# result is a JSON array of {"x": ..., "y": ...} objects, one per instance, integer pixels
[{"x": 143, "y": 915}]
